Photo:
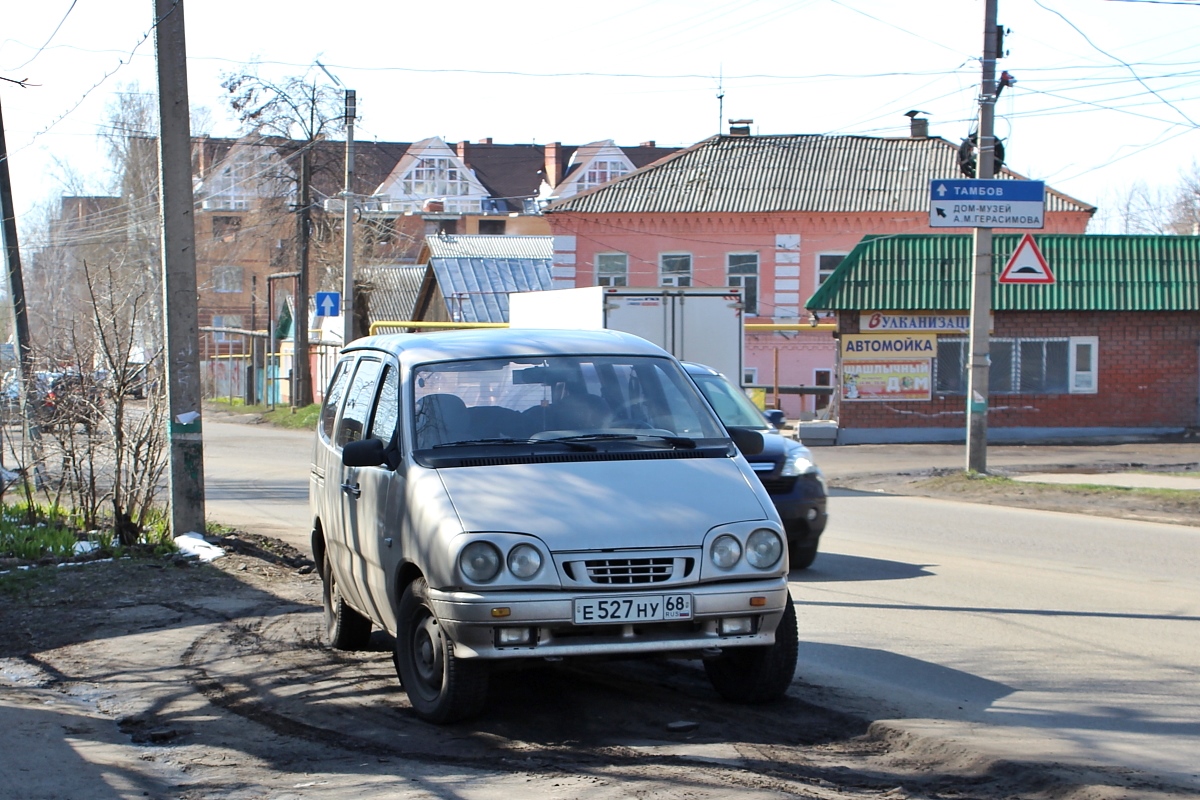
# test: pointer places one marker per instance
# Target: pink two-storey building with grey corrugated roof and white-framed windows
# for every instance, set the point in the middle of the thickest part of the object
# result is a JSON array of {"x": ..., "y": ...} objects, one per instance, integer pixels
[{"x": 773, "y": 215}]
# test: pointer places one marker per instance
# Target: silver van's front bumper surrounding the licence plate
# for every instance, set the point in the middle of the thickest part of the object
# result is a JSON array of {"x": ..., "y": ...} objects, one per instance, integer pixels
[{"x": 473, "y": 621}]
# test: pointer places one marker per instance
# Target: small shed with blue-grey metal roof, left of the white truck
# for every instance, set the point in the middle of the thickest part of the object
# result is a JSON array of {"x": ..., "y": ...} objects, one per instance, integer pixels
[{"x": 470, "y": 278}]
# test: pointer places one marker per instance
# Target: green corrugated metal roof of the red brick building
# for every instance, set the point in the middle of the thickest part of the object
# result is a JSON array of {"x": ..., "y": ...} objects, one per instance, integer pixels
[{"x": 933, "y": 273}]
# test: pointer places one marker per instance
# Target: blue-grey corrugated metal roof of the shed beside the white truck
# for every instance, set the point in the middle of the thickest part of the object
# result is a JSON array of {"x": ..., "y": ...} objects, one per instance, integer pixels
[{"x": 477, "y": 290}]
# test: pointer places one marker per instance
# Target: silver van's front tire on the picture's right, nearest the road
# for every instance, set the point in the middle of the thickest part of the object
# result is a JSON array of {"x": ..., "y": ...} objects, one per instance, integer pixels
[{"x": 754, "y": 676}]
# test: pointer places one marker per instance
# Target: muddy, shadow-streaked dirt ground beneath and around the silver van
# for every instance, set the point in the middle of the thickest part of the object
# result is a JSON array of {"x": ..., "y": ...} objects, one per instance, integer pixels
[{"x": 167, "y": 679}]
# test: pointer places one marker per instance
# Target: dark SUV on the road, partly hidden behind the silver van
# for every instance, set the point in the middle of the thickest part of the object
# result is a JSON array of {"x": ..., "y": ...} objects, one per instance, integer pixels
[{"x": 785, "y": 467}]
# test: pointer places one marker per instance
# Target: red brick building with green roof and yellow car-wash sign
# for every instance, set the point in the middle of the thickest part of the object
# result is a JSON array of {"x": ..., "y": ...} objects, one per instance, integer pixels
[{"x": 1113, "y": 347}]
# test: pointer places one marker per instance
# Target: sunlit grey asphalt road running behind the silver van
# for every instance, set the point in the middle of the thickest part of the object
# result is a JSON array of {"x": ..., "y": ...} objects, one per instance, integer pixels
[{"x": 1033, "y": 635}]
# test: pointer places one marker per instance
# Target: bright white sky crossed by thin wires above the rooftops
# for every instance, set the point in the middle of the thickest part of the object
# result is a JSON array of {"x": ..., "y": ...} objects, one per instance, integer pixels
[{"x": 1107, "y": 94}]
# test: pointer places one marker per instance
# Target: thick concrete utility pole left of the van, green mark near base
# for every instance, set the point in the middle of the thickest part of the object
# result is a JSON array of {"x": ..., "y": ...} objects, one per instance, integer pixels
[{"x": 177, "y": 207}]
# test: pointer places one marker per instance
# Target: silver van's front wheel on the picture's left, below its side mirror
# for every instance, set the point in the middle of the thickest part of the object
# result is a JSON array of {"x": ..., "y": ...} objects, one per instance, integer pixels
[{"x": 441, "y": 687}]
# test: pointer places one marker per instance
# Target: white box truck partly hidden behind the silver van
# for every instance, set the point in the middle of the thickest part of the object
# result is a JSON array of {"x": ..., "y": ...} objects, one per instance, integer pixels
[{"x": 703, "y": 326}]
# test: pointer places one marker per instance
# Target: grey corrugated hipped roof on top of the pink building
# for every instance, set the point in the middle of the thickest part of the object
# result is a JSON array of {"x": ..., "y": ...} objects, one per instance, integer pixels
[{"x": 790, "y": 173}]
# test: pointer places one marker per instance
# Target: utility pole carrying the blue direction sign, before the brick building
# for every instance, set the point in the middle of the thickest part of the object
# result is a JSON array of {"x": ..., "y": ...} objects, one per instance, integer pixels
[{"x": 981, "y": 278}]
